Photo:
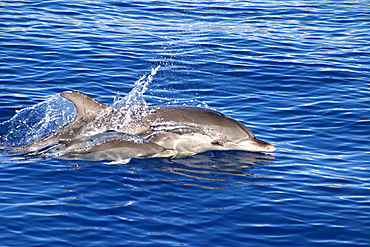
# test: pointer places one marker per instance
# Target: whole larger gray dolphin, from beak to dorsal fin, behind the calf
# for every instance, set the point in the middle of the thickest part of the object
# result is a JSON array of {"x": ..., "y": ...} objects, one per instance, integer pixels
[{"x": 184, "y": 130}]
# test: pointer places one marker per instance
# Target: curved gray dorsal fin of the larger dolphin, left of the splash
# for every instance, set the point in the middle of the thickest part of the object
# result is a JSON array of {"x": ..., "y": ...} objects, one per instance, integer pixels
[{"x": 86, "y": 106}]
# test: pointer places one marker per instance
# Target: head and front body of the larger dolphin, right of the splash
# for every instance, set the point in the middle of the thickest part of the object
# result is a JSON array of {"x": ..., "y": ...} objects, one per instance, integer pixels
[{"x": 192, "y": 130}]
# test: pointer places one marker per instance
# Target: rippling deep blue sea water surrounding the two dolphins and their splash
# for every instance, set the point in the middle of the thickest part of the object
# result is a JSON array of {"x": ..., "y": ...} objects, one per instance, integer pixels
[{"x": 295, "y": 72}]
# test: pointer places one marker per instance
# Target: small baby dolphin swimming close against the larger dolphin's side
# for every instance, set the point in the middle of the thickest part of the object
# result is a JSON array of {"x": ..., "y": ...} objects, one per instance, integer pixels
[{"x": 107, "y": 146}]
